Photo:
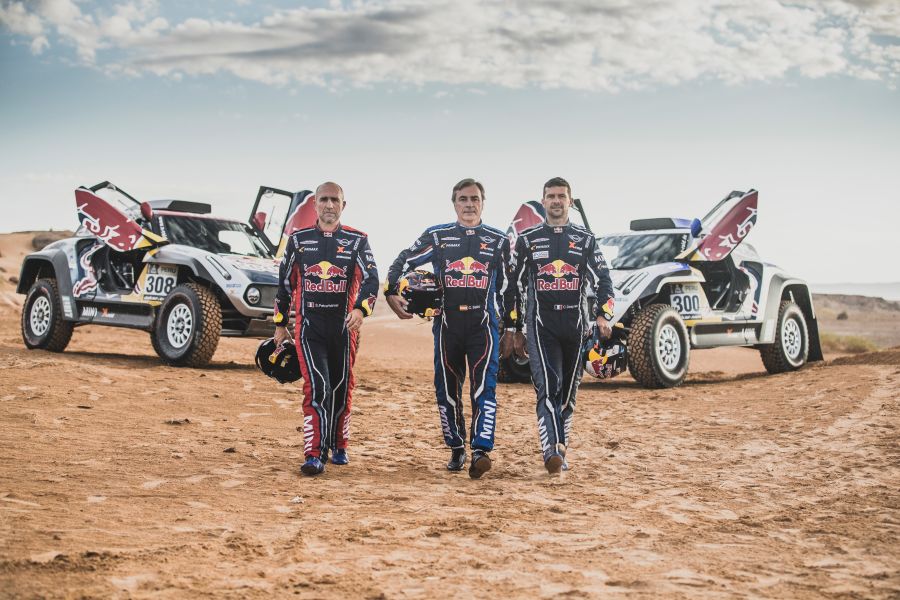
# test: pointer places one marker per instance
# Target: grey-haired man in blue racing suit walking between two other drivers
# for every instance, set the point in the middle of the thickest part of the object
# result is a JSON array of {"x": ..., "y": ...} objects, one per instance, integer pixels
[{"x": 470, "y": 261}]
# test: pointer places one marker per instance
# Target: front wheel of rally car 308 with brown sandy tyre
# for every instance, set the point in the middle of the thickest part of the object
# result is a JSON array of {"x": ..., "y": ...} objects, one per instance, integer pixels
[{"x": 187, "y": 327}]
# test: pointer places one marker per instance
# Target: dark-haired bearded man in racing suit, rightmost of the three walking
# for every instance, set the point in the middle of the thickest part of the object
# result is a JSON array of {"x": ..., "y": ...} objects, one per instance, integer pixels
[{"x": 553, "y": 264}]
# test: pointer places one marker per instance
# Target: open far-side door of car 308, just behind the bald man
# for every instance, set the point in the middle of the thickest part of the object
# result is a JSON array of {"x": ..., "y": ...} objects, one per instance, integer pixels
[{"x": 277, "y": 214}]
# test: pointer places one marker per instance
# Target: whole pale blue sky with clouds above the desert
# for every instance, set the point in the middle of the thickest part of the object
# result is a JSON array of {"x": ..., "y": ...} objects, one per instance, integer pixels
[{"x": 648, "y": 108}]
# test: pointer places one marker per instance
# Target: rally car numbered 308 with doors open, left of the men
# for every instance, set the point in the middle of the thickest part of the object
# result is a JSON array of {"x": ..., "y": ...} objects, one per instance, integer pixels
[{"x": 164, "y": 266}]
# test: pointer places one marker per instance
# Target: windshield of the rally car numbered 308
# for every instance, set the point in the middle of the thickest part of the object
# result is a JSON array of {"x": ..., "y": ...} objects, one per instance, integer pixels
[{"x": 213, "y": 235}]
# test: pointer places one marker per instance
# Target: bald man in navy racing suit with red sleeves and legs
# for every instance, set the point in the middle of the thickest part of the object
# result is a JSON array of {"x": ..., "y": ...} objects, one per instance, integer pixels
[{"x": 329, "y": 275}]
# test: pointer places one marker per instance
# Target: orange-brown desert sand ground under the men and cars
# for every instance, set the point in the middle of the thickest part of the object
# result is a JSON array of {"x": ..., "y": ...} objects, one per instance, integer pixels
[{"x": 122, "y": 477}]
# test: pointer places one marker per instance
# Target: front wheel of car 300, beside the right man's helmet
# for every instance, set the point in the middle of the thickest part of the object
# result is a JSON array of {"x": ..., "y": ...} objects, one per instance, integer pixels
[{"x": 659, "y": 348}]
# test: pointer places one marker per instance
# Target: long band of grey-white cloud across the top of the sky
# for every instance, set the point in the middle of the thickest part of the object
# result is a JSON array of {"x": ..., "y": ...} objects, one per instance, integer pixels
[{"x": 593, "y": 45}]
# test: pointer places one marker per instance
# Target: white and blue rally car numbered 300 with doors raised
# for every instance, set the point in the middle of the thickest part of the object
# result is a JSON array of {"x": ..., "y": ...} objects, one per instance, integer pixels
[{"x": 683, "y": 284}]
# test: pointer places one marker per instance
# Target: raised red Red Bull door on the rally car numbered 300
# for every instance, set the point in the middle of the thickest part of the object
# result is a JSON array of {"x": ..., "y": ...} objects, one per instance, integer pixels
[{"x": 724, "y": 227}]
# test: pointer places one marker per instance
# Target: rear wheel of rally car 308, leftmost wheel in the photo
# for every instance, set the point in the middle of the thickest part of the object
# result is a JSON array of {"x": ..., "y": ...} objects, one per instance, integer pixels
[{"x": 42, "y": 323}]
